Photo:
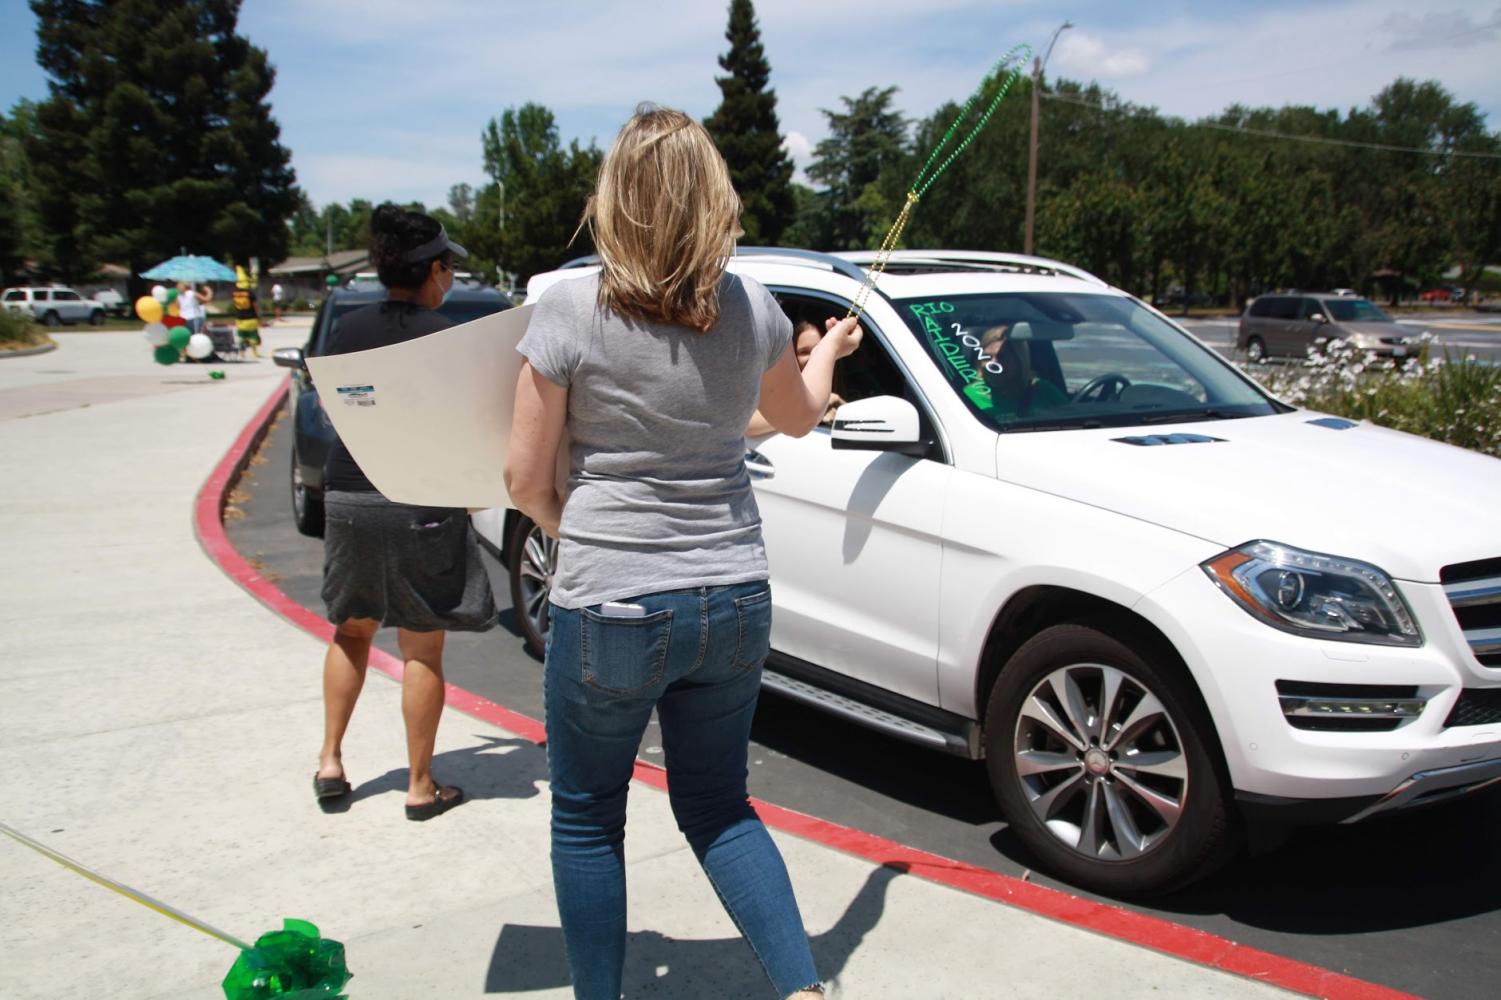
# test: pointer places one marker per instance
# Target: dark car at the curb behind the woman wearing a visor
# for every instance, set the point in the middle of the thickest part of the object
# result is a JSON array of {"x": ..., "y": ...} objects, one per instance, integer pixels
[{"x": 313, "y": 433}]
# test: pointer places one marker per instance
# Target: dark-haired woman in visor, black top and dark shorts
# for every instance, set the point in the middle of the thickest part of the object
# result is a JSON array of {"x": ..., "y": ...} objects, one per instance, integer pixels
[{"x": 417, "y": 570}]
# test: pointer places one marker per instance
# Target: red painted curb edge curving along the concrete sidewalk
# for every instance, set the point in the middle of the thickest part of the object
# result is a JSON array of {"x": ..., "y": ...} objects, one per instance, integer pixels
[{"x": 1127, "y": 926}]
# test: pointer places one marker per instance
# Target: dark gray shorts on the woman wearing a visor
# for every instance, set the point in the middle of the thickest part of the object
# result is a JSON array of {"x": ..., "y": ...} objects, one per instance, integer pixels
[{"x": 412, "y": 568}]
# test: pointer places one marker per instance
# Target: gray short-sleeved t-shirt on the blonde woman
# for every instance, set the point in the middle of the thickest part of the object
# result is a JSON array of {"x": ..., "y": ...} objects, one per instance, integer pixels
[{"x": 660, "y": 498}]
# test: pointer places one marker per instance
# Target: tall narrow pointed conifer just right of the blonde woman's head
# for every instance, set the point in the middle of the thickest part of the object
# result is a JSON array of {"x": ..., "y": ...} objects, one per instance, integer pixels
[{"x": 748, "y": 134}]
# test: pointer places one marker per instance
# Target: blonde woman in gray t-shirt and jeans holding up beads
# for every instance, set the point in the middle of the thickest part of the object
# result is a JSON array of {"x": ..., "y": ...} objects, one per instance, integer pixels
[{"x": 661, "y": 597}]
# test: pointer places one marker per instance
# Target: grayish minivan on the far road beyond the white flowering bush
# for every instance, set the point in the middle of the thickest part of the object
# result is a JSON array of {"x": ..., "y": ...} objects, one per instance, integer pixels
[{"x": 1292, "y": 324}]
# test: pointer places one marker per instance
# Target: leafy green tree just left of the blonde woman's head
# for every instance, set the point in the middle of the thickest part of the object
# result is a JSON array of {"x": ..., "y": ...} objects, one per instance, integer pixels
[{"x": 528, "y": 218}]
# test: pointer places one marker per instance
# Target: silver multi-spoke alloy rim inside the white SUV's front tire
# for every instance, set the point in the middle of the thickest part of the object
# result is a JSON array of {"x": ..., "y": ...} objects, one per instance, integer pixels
[{"x": 1101, "y": 762}]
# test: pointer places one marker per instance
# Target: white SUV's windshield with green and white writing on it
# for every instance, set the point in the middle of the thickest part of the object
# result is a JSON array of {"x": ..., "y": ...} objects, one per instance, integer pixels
[{"x": 1054, "y": 361}]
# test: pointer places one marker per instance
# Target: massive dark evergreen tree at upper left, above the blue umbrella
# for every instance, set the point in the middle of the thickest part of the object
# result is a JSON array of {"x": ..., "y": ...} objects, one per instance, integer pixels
[{"x": 157, "y": 136}]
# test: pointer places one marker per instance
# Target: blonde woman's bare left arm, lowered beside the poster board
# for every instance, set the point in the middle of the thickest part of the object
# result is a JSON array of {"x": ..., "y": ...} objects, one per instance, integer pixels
[{"x": 537, "y": 429}]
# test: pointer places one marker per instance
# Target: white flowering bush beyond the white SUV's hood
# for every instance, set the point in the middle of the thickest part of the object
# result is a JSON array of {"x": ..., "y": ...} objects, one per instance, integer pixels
[{"x": 1448, "y": 399}]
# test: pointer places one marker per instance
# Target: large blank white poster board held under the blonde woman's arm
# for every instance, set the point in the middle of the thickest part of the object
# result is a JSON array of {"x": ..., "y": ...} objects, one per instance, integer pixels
[{"x": 429, "y": 421}]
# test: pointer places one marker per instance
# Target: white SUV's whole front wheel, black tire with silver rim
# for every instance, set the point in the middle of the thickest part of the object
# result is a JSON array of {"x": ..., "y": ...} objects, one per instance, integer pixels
[{"x": 1066, "y": 776}]
